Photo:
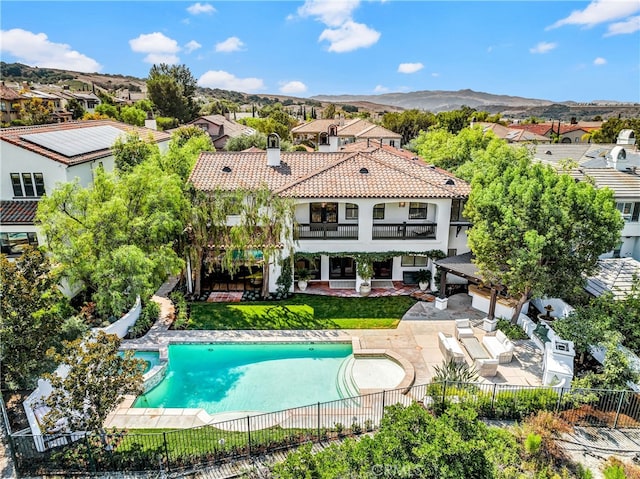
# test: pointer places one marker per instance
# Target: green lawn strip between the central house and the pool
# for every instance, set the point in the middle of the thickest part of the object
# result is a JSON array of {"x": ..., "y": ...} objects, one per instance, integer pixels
[{"x": 302, "y": 311}]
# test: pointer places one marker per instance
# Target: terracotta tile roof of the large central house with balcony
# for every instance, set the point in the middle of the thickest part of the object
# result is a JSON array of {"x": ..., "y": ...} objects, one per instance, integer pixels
[{"x": 380, "y": 173}]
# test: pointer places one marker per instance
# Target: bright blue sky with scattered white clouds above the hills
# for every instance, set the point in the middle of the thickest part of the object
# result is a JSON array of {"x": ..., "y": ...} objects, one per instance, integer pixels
[{"x": 576, "y": 50}]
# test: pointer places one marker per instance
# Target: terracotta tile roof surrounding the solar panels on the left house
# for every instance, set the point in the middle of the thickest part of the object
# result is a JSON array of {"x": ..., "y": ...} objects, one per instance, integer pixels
[{"x": 12, "y": 135}]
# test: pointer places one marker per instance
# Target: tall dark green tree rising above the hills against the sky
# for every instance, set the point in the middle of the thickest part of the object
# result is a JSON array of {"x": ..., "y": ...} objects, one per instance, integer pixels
[{"x": 172, "y": 88}]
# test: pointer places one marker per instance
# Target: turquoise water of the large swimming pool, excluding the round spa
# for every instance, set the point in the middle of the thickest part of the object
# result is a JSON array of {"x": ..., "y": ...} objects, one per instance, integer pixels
[{"x": 248, "y": 377}]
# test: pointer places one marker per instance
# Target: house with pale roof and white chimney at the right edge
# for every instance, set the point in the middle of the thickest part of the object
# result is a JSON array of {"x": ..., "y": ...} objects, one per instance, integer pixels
[{"x": 613, "y": 166}]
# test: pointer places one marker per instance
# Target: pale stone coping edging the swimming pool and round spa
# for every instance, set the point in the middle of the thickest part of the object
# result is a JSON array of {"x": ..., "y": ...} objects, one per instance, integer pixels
[{"x": 126, "y": 416}]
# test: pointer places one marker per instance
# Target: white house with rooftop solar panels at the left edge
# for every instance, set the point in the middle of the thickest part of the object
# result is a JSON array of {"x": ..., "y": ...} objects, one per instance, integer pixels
[{"x": 36, "y": 158}]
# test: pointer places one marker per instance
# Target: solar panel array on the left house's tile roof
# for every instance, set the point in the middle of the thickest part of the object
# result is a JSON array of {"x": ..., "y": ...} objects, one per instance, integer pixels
[{"x": 78, "y": 141}]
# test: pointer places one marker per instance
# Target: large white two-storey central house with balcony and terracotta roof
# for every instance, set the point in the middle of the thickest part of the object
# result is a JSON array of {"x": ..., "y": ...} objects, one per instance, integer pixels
[{"x": 379, "y": 199}]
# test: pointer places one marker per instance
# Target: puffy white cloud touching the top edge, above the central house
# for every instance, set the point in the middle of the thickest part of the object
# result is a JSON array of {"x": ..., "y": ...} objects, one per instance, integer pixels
[{"x": 343, "y": 33}]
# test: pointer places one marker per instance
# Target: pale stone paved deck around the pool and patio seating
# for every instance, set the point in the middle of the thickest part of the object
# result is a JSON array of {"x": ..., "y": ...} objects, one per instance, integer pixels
[{"x": 414, "y": 341}]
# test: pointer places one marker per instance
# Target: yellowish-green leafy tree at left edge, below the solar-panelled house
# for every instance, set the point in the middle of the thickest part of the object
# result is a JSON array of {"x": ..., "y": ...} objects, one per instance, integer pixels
[{"x": 33, "y": 312}]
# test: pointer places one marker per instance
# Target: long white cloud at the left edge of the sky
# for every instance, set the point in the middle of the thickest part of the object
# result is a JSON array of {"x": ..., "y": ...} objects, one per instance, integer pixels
[{"x": 36, "y": 49}]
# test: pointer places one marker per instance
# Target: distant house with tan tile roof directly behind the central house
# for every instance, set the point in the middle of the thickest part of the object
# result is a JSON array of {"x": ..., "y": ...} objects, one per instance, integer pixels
[{"x": 348, "y": 131}]
